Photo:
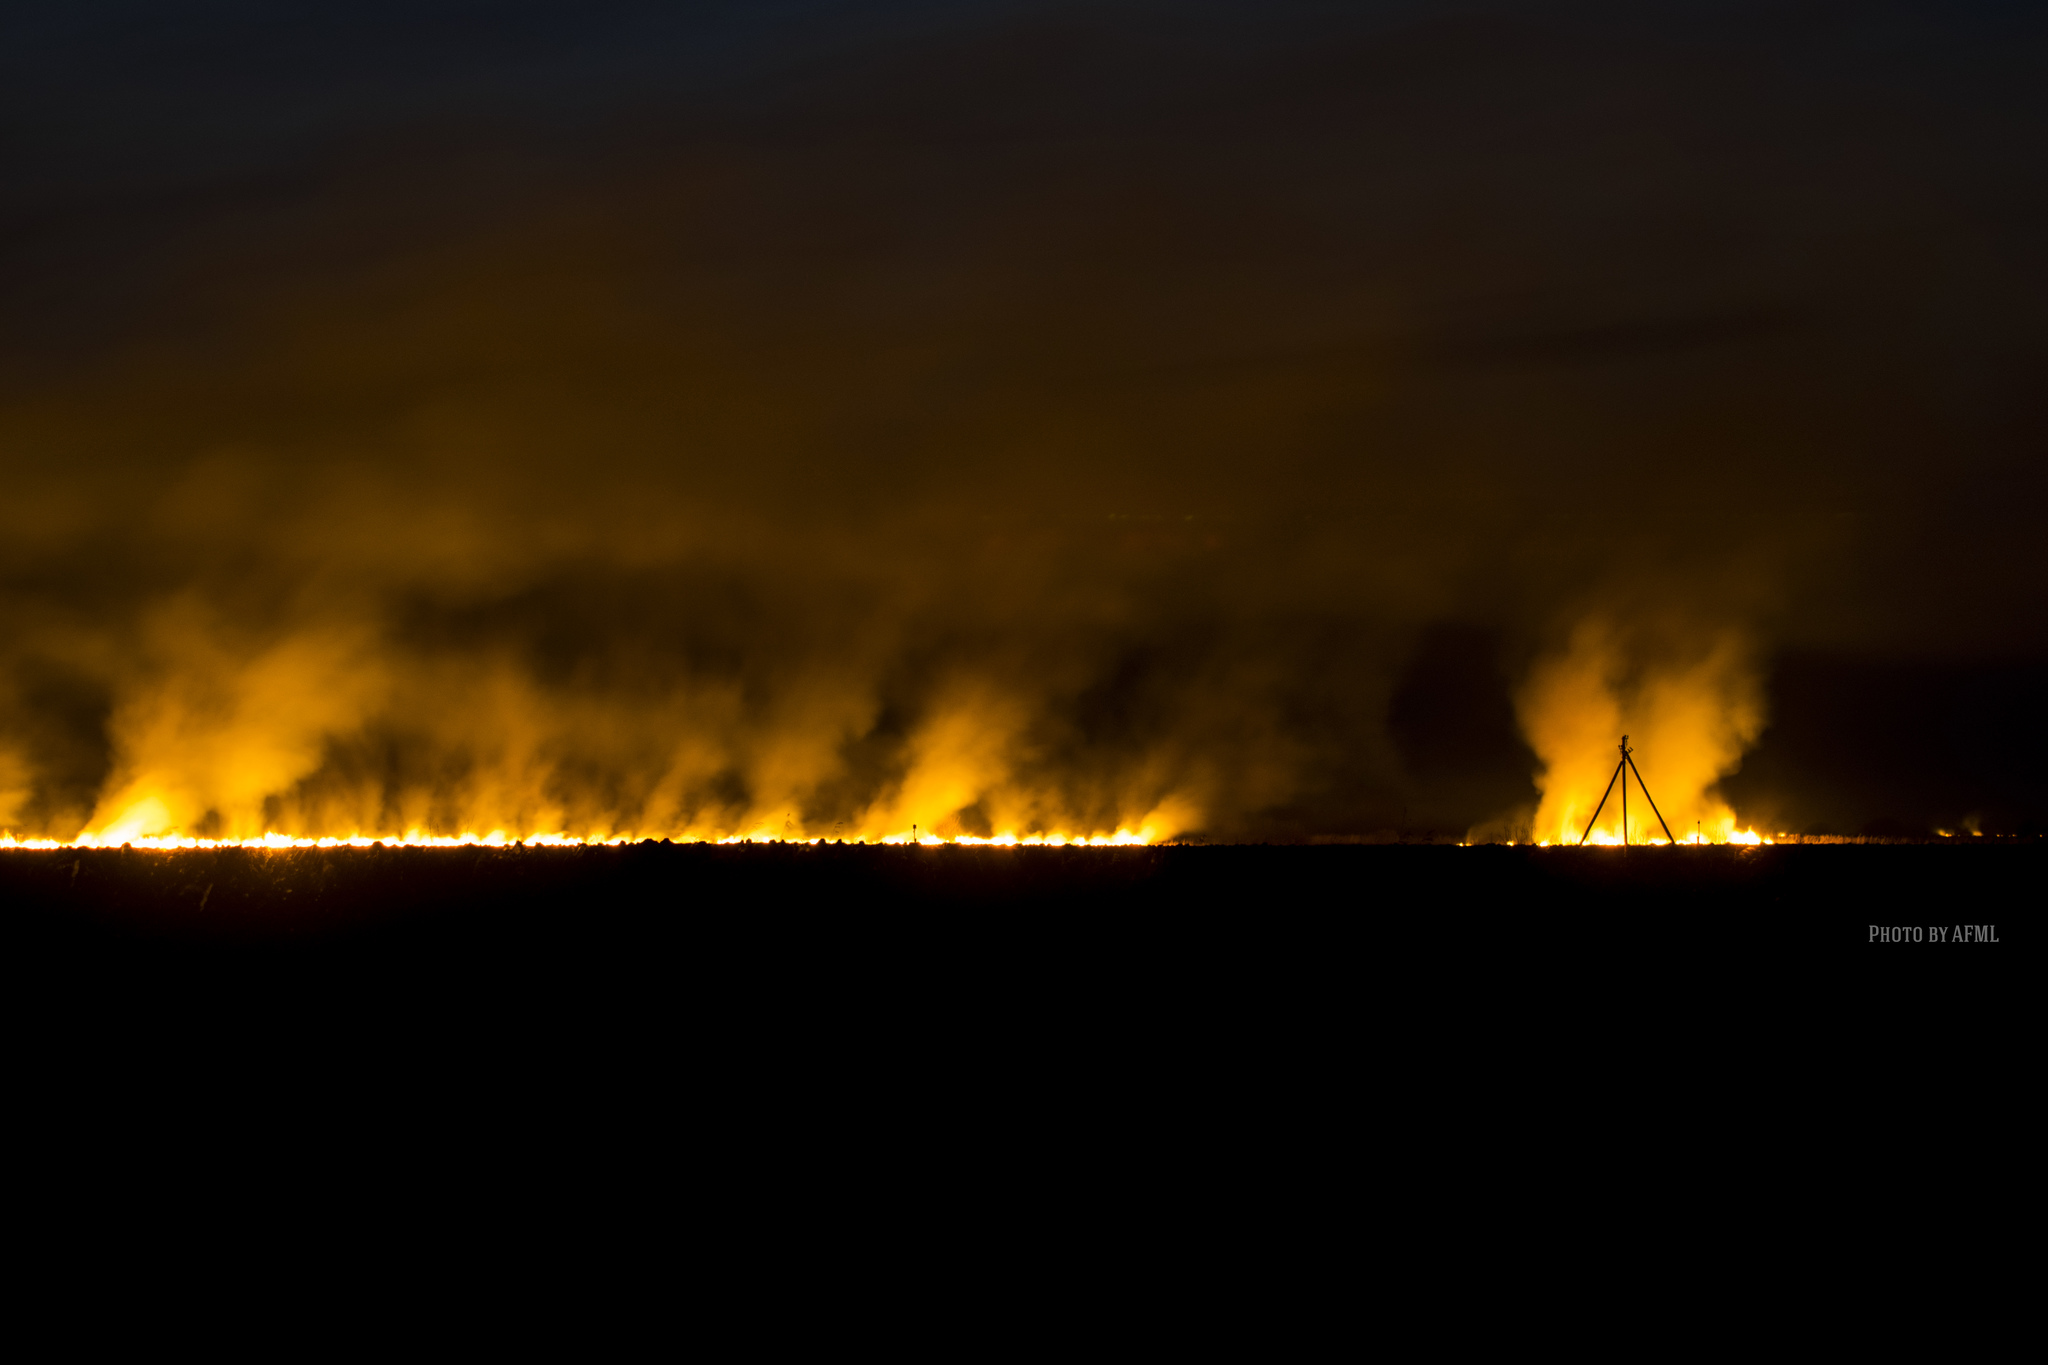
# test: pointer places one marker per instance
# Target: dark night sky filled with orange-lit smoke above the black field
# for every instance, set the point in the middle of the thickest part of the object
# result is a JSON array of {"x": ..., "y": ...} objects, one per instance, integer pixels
[{"x": 642, "y": 419}]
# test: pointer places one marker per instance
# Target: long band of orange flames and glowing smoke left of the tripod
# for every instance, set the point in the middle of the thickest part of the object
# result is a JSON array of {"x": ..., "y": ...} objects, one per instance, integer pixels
[{"x": 249, "y": 742}]
